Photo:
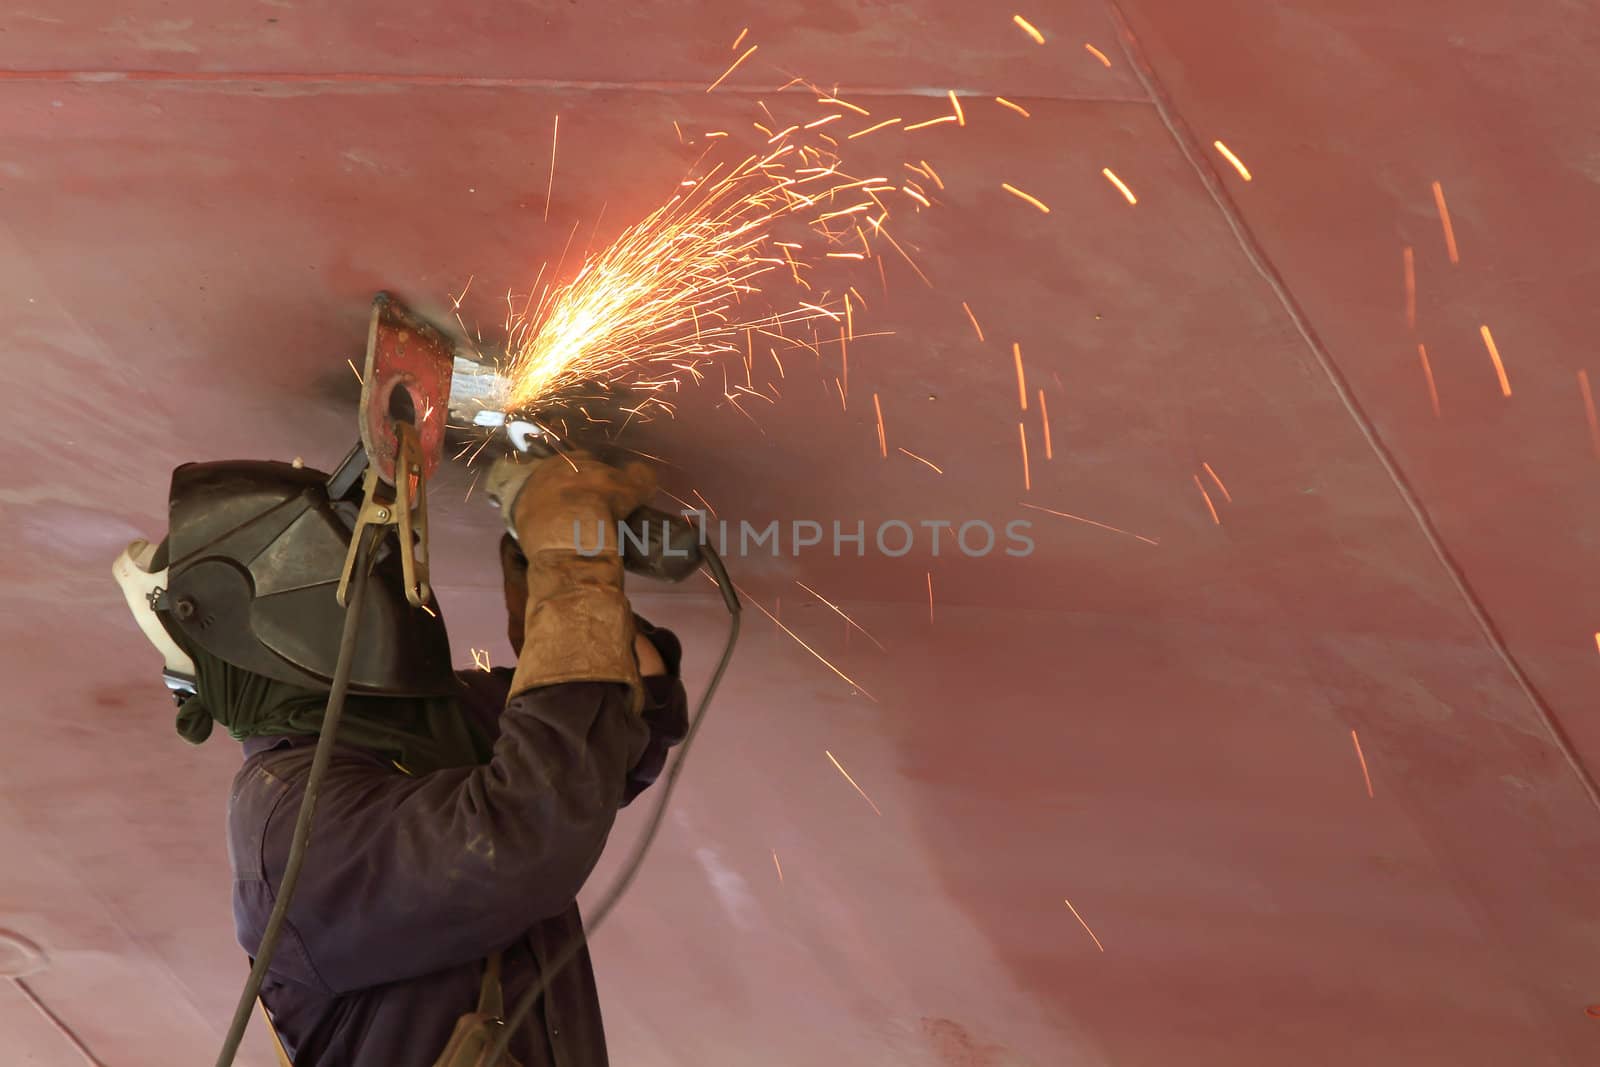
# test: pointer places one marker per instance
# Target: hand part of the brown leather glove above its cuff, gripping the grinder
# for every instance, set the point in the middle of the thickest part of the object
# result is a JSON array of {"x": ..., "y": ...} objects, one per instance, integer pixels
[{"x": 567, "y": 502}]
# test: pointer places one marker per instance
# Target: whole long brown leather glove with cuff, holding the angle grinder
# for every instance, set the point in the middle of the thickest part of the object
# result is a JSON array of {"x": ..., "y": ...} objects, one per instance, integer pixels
[{"x": 564, "y": 513}]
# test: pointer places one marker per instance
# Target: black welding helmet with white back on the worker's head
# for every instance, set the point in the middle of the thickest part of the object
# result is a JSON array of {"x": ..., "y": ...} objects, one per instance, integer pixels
[{"x": 249, "y": 573}]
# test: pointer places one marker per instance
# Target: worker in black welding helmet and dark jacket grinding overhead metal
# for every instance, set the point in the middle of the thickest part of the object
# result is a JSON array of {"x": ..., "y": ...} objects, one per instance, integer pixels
[{"x": 457, "y": 821}]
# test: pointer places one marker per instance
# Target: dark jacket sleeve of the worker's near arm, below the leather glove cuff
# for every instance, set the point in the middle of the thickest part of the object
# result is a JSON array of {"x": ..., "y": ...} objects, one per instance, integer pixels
[{"x": 409, "y": 876}]
